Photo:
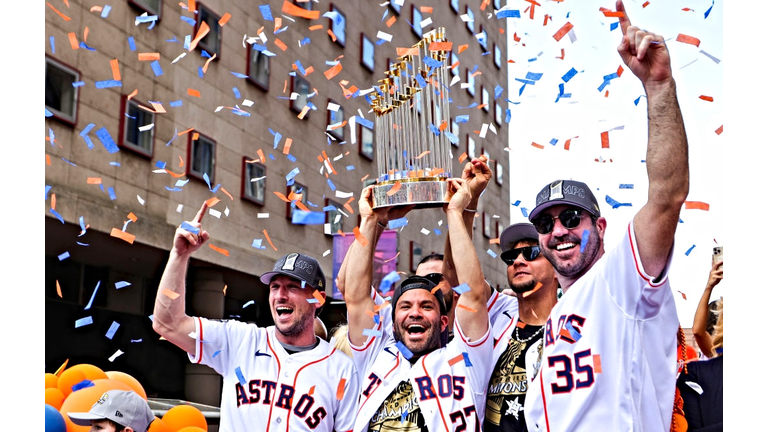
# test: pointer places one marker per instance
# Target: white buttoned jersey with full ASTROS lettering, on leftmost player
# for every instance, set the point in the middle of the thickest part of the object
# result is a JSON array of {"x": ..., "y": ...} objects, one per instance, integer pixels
[{"x": 266, "y": 389}]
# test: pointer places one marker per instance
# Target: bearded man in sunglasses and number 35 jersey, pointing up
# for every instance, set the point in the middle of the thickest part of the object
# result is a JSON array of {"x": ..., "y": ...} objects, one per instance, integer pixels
[{"x": 610, "y": 348}]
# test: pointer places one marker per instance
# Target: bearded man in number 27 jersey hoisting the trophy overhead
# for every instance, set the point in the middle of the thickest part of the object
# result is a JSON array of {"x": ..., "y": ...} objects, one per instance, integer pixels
[{"x": 409, "y": 382}]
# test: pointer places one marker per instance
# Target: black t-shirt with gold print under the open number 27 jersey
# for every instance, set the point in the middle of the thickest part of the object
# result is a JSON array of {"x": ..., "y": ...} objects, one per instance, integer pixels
[{"x": 399, "y": 412}]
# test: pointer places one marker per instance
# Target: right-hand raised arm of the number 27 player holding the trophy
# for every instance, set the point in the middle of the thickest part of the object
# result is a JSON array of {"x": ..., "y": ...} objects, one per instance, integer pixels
[{"x": 471, "y": 312}]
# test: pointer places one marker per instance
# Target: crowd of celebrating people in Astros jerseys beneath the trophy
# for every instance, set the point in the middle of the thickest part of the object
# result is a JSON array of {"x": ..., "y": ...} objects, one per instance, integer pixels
[{"x": 449, "y": 352}]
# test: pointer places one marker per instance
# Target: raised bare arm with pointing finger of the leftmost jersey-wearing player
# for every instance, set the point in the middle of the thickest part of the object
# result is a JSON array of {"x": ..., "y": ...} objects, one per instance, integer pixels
[{"x": 170, "y": 319}]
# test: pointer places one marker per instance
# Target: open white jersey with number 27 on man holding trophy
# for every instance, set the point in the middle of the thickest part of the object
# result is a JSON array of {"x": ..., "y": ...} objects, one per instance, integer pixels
[{"x": 449, "y": 383}]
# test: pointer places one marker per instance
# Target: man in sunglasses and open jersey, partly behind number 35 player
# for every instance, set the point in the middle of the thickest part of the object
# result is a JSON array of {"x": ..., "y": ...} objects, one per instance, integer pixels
[{"x": 518, "y": 324}]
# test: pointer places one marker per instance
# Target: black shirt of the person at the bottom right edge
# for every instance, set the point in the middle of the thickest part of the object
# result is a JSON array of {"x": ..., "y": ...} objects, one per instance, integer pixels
[{"x": 702, "y": 392}]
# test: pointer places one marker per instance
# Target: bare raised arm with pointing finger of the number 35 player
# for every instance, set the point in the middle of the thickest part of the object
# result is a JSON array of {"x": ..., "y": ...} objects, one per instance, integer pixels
[{"x": 666, "y": 161}]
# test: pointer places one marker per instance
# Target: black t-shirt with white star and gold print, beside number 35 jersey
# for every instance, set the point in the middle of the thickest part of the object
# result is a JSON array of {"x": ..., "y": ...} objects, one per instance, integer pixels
[{"x": 509, "y": 383}]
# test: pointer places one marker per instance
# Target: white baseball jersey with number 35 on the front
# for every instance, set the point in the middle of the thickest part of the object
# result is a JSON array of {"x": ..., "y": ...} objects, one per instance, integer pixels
[{"x": 610, "y": 351}]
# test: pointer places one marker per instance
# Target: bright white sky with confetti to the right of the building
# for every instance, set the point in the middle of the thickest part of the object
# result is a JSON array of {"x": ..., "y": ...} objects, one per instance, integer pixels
[{"x": 587, "y": 108}]
